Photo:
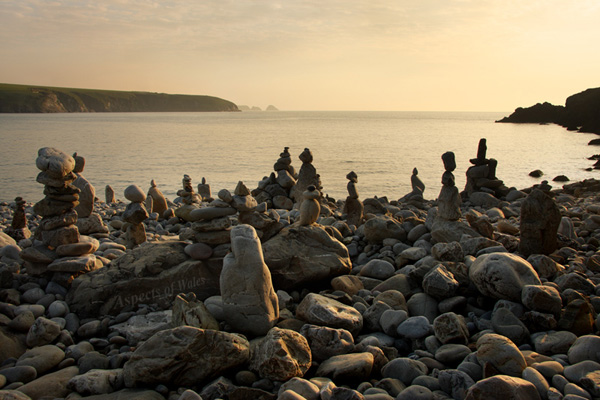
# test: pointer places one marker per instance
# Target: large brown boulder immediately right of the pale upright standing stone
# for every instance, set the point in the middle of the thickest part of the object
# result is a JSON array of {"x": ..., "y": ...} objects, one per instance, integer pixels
[{"x": 305, "y": 254}]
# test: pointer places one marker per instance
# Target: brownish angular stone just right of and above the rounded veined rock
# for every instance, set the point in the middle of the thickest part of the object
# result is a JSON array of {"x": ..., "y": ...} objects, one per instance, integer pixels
[{"x": 326, "y": 342}]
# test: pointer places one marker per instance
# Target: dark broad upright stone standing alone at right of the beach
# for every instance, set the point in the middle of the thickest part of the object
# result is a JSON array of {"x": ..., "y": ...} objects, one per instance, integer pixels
[{"x": 540, "y": 218}]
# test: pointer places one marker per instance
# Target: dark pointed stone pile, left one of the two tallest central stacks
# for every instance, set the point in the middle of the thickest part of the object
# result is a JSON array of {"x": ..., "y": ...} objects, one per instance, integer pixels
[{"x": 275, "y": 189}]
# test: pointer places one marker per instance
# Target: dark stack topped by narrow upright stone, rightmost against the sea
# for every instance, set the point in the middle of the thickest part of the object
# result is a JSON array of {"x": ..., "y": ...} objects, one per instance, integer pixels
[{"x": 481, "y": 176}]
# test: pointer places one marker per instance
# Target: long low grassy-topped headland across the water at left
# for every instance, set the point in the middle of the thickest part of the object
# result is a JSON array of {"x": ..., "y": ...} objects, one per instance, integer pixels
[{"x": 40, "y": 99}]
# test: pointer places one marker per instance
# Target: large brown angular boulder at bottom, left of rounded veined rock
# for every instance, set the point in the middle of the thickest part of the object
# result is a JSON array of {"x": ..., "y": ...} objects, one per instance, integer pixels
[{"x": 201, "y": 353}]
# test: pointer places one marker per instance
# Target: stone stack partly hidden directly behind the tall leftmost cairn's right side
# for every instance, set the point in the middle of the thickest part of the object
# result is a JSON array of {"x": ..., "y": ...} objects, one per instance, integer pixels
[{"x": 88, "y": 222}]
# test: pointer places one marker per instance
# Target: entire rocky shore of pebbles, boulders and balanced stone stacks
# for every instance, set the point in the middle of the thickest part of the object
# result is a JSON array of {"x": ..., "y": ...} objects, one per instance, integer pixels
[{"x": 280, "y": 292}]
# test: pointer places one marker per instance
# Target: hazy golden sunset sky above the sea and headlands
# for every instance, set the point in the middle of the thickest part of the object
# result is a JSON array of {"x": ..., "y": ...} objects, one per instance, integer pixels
[{"x": 371, "y": 55}]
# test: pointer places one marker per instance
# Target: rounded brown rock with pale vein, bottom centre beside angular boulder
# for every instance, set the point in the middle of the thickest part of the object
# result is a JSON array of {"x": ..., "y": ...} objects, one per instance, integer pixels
[{"x": 281, "y": 355}]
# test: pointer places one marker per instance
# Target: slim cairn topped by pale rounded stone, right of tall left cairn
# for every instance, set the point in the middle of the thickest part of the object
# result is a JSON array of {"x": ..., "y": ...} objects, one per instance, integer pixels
[{"x": 134, "y": 215}]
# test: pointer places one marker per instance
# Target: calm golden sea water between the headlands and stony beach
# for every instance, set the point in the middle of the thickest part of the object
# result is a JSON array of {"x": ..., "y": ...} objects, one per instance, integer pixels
[{"x": 381, "y": 147}]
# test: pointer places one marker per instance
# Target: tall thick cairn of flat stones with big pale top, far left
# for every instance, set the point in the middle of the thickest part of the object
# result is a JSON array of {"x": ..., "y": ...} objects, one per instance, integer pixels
[{"x": 63, "y": 252}]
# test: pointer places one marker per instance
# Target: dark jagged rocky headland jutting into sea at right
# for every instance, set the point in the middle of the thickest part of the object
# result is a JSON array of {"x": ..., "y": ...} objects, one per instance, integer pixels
[{"x": 581, "y": 113}]
